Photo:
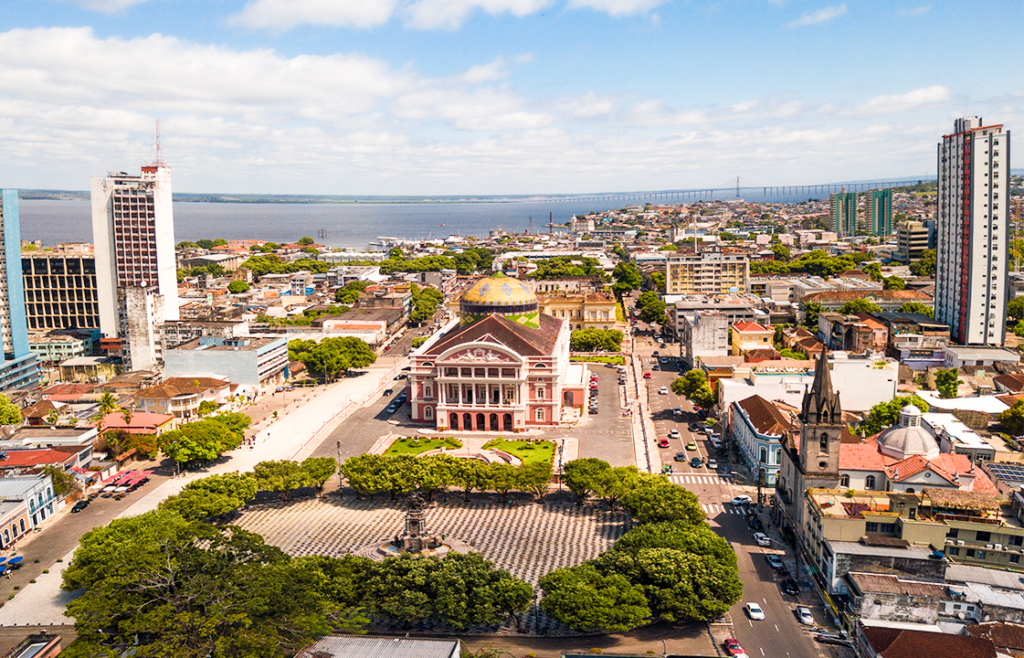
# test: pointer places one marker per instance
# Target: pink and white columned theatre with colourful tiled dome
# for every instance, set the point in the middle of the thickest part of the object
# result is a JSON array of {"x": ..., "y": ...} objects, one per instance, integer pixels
[{"x": 505, "y": 368}]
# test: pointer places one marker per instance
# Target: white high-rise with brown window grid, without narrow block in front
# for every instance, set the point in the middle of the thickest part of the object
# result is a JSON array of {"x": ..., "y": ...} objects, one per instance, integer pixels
[{"x": 134, "y": 233}]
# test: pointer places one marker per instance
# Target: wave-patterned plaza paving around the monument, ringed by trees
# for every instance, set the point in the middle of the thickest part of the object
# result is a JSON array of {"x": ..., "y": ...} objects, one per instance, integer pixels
[{"x": 529, "y": 541}]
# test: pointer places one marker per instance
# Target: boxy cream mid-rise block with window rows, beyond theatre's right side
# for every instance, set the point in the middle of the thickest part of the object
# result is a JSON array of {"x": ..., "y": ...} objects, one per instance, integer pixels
[{"x": 711, "y": 273}]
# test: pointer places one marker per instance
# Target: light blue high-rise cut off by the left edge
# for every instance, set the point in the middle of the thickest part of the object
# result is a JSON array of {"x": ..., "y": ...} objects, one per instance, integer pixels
[{"x": 18, "y": 364}]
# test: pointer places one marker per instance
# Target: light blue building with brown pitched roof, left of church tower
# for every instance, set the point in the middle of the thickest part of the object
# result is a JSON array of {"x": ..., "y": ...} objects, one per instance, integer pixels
[{"x": 757, "y": 426}]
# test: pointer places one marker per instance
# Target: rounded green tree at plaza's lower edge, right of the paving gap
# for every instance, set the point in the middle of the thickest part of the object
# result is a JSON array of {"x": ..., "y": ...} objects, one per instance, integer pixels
[{"x": 585, "y": 599}]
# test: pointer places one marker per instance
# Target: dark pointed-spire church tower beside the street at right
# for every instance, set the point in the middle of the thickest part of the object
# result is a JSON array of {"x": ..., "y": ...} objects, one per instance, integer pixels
[{"x": 822, "y": 430}]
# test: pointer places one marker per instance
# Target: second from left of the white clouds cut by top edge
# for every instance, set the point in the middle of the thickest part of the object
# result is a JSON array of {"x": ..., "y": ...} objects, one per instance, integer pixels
[{"x": 283, "y": 15}]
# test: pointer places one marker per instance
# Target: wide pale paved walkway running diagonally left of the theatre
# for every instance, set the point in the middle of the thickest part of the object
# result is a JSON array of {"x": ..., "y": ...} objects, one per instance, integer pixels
[{"x": 293, "y": 436}]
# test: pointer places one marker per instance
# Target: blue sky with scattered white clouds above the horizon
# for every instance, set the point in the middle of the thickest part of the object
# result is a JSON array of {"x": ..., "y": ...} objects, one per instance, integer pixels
[{"x": 472, "y": 98}]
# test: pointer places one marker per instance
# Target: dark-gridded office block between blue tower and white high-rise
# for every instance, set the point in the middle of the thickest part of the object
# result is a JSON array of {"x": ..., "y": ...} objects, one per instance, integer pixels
[{"x": 61, "y": 290}]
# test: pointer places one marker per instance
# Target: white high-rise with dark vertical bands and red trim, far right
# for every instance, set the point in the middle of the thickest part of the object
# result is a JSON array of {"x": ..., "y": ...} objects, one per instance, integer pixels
[{"x": 972, "y": 233}]
